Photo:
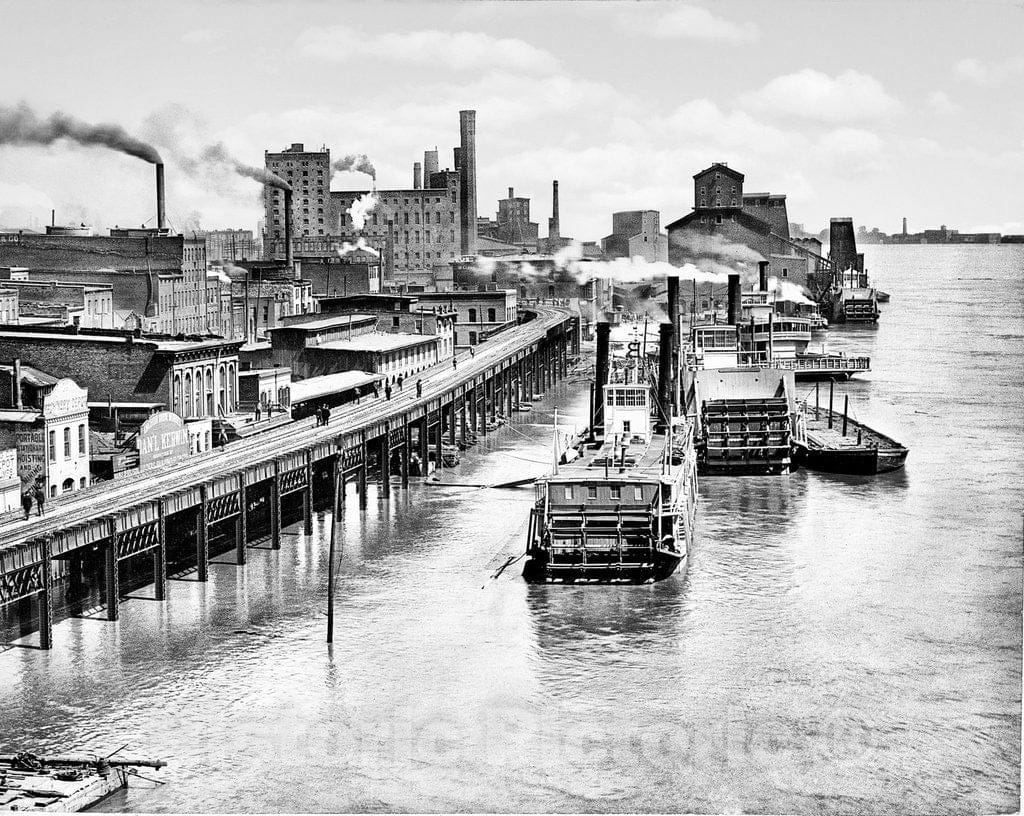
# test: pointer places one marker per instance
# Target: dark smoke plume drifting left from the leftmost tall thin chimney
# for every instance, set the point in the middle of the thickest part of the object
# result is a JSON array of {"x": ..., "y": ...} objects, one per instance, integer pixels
[{"x": 21, "y": 125}]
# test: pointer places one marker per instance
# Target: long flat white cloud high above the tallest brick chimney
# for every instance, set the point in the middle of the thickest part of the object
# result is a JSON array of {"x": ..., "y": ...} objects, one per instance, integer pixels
[{"x": 457, "y": 51}]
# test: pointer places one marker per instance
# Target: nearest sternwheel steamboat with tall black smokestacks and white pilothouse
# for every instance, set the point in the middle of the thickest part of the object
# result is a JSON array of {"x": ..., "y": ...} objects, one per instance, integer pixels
[{"x": 621, "y": 505}]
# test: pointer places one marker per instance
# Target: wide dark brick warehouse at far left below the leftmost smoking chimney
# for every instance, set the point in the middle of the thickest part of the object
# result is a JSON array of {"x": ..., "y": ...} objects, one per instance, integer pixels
[{"x": 160, "y": 278}]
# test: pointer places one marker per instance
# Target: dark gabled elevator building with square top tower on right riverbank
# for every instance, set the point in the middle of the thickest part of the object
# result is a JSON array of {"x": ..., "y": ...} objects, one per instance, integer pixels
[{"x": 756, "y": 221}]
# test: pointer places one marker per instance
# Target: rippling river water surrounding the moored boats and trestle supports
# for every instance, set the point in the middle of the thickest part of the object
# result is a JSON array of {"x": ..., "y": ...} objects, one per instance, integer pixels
[{"x": 840, "y": 645}]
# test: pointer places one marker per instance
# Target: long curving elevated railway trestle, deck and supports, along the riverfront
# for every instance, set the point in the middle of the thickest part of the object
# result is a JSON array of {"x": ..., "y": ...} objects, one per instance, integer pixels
[{"x": 168, "y": 523}]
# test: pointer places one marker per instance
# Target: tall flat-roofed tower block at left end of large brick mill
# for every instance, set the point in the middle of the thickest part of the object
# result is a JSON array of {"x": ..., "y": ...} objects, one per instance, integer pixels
[{"x": 310, "y": 175}]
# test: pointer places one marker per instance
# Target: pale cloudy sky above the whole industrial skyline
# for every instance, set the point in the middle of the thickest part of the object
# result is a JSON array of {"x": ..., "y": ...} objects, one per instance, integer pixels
[{"x": 870, "y": 110}]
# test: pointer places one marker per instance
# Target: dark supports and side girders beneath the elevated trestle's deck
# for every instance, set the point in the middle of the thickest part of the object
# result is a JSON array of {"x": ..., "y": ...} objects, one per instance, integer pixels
[{"x": 89, "y": 568}]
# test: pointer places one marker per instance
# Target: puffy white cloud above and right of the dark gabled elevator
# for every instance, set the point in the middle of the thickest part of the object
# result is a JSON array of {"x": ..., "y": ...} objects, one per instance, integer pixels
[{"x": 846, "y": 98}]
